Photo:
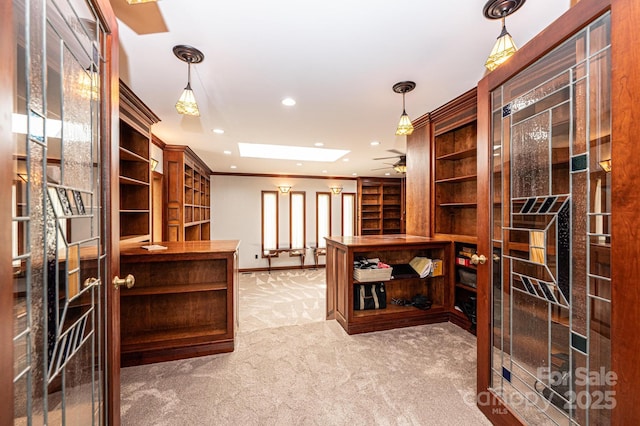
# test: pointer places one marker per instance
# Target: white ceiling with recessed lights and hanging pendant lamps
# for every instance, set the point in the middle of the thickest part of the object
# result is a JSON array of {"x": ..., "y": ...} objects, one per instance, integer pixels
[{"x": 337, "y": 59}]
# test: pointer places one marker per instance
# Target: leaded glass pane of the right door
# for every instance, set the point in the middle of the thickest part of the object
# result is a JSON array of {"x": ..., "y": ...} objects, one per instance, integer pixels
[{"x": 551, "y": 235}]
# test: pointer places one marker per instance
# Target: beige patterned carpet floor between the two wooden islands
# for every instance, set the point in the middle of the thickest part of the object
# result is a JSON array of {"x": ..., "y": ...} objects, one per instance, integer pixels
[{"x": 291, "y": 367}]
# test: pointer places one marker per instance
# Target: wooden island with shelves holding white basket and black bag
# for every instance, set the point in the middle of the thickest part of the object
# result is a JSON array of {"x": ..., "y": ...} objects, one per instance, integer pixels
[{"x": 396, "y": 249}]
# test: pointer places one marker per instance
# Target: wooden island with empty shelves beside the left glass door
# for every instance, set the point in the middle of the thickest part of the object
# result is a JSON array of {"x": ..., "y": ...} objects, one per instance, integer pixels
[{"x": 183, "y": 303}]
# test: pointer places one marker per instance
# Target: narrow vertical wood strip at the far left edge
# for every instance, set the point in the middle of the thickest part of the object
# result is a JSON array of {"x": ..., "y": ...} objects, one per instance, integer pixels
[{"x": 7, "y": 73}]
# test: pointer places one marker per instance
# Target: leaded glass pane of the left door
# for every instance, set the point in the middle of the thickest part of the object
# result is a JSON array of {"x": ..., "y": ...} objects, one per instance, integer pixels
[{"x": 59, "y": 254}]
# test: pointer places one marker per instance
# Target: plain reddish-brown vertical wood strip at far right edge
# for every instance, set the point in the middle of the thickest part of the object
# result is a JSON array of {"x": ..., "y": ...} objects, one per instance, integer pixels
[{"x": 625, "y": 238}]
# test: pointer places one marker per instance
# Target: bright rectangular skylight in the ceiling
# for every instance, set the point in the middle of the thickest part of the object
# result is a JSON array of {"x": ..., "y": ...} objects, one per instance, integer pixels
[{"x": 287, "y": 152}]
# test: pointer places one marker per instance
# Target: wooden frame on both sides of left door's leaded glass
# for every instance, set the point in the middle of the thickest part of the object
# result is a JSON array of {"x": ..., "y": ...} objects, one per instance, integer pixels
[{"x": 7, "y": 74}]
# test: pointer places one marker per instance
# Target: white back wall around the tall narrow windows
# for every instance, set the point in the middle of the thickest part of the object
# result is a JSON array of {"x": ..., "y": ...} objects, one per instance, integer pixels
[{"x": 236, "y": 214}]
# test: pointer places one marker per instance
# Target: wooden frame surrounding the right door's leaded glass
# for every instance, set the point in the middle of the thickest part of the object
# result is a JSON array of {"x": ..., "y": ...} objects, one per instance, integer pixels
[{"x": 625, "y": 76}]
